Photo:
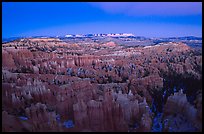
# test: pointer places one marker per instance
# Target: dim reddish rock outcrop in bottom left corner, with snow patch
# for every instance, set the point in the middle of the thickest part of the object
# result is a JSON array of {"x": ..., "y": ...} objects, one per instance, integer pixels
[{"x": 36, "y": 118}]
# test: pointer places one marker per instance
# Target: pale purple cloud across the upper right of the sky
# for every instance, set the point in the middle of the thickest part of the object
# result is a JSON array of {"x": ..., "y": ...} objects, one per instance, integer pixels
[{"x": 151, "y": 8}]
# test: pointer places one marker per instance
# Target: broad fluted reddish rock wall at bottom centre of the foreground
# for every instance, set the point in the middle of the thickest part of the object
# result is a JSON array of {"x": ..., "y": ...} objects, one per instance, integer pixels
[{"x": 99, "y": 116}]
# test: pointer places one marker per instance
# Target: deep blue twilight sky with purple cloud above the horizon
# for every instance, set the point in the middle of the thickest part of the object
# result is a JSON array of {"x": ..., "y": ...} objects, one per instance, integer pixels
[{"x": 149, "y": 19}]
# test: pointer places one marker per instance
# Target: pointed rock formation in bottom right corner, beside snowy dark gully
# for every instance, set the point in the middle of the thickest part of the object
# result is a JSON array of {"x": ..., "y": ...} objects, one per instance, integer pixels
[{"x": 182, "y": 110}]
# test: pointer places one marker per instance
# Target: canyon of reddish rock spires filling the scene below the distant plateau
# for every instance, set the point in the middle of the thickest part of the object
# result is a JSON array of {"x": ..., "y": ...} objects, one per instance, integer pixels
[{"x": 50, "y": 84}]
